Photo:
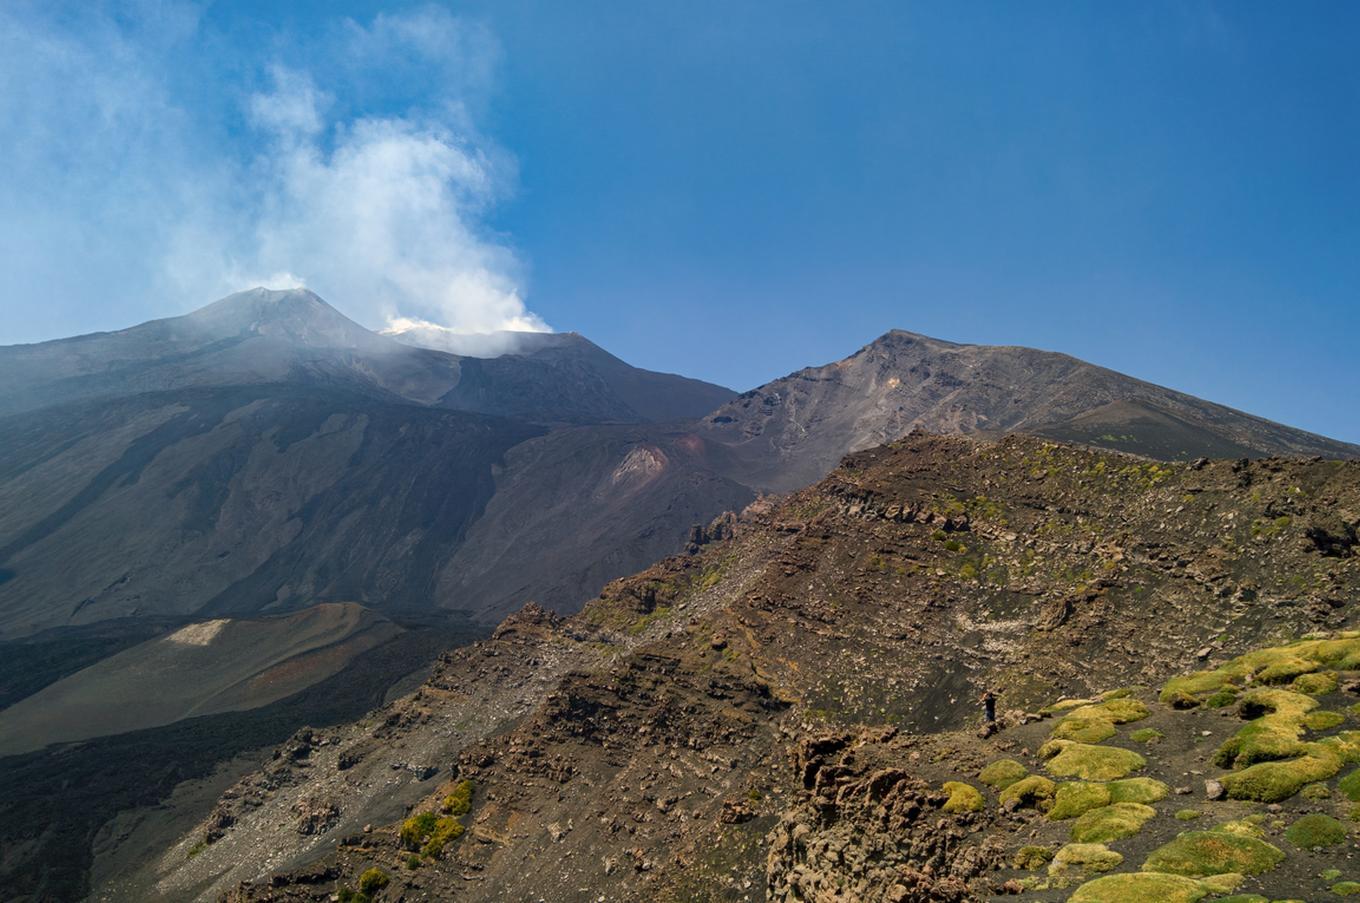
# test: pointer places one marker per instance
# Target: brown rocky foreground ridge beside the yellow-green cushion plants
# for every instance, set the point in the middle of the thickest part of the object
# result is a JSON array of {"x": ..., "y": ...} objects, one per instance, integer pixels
[{"x": 702, "y": 730}]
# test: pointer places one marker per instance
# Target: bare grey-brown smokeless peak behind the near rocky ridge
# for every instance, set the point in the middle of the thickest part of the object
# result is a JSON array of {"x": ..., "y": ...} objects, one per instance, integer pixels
[{"x": 796, "y": 429}]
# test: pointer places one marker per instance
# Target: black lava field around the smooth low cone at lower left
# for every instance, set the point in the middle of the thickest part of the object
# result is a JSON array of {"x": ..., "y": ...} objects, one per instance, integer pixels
[{"x": 66, "y": 802}]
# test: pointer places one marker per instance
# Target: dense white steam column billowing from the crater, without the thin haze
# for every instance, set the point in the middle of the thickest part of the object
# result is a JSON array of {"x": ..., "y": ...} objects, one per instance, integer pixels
[{"x": 386, "y": 216}]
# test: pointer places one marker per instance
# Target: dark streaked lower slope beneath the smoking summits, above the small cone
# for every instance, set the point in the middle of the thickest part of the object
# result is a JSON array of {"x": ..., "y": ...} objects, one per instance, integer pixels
[{"x": 235, "y": 501}]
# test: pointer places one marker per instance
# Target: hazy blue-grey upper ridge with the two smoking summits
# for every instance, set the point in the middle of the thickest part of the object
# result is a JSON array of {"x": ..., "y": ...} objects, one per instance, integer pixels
[{"x": 263, "y": 337}]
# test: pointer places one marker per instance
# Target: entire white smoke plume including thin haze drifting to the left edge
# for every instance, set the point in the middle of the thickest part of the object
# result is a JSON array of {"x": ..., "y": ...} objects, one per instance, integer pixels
[{"x": 354, "y": 168}]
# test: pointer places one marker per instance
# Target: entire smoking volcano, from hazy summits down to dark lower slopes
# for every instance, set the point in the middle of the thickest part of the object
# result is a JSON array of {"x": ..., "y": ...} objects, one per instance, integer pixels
[{"x": 266, "y": 454}]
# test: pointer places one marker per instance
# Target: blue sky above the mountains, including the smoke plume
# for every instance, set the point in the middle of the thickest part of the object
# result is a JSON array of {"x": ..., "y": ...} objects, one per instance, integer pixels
[{"x": 724, "y": 190}]
